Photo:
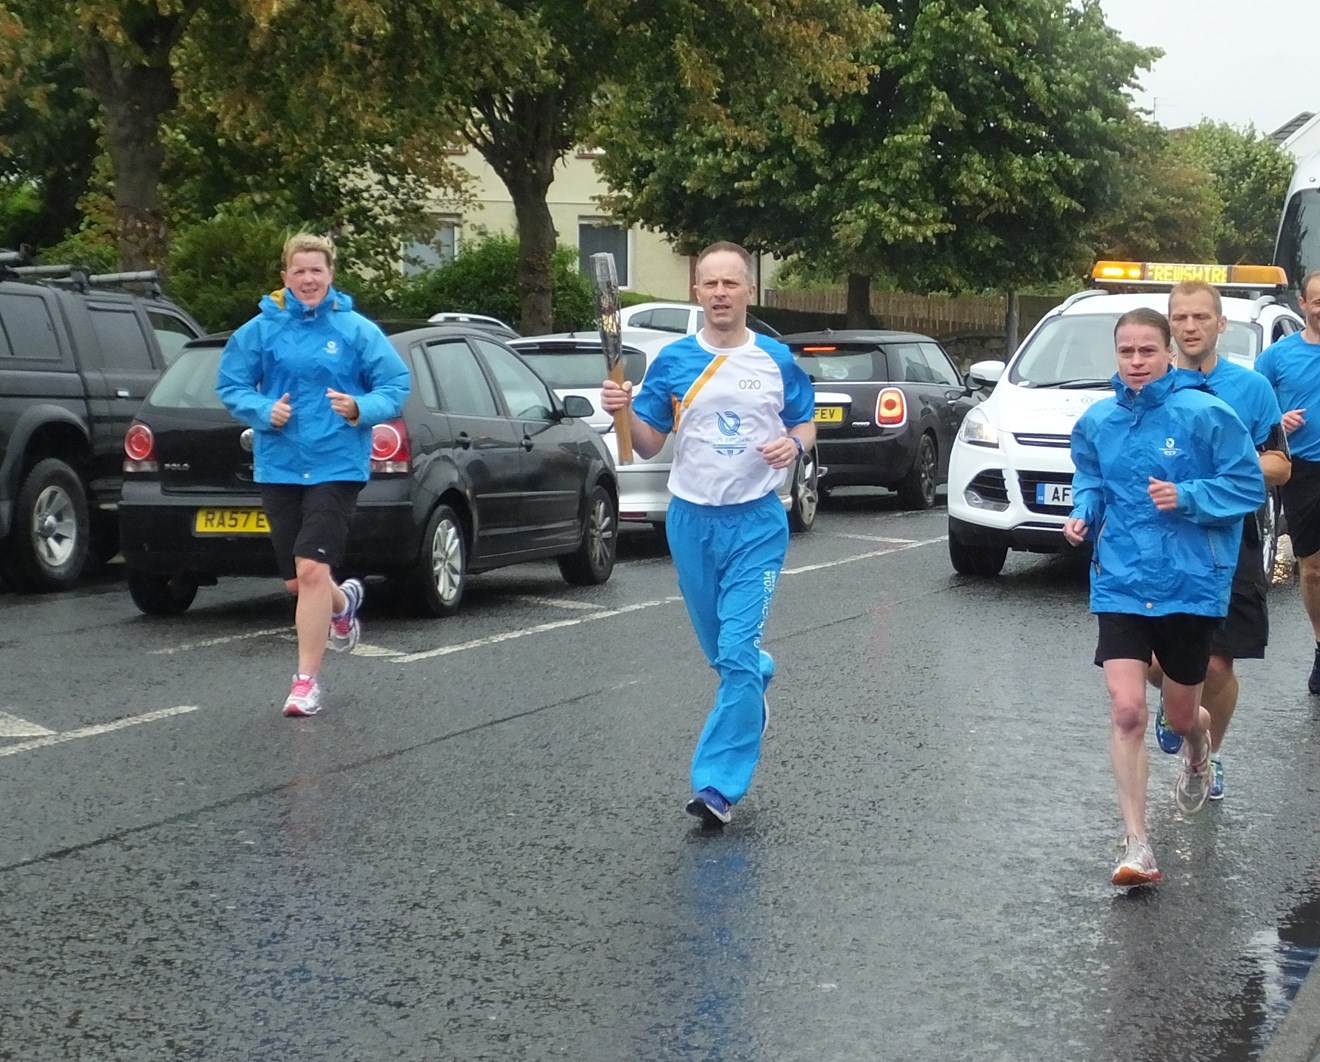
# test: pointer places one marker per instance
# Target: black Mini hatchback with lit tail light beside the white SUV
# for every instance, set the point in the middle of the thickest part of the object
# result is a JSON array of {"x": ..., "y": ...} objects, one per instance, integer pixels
[{"x": 889, "y": 406}]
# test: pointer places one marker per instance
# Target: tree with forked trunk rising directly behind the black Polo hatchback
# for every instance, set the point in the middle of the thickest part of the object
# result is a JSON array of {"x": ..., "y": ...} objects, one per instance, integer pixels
[{"x": 519, "y": 80}]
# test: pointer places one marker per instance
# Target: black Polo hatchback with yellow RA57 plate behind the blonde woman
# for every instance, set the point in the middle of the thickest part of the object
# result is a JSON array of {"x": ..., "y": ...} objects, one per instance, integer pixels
[{"x": 486, "y": 468}]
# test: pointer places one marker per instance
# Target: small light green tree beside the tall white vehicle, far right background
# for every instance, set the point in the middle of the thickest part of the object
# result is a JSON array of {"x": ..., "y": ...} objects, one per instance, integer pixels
[{"x": 1249, "y": 176}]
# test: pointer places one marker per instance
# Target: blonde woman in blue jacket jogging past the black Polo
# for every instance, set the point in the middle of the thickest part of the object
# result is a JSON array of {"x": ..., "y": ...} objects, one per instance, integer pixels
[{"x": 312, "y": 378}]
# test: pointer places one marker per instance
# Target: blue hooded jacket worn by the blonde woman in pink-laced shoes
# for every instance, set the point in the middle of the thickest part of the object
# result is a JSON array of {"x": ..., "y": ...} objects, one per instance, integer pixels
[{"x": 292, "y": 350}]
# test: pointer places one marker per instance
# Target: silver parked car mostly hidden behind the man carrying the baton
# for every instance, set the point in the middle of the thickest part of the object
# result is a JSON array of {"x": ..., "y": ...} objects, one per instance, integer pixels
[{"x": 574, "y": 363}]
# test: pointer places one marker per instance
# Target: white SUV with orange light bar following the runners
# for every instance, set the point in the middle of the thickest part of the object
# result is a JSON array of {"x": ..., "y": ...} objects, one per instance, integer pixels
[{"x": 1010, "y": 473}]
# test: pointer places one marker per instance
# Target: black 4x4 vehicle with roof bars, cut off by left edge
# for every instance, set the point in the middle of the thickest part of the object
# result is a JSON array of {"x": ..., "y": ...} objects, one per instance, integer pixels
[{"x": 79, "y": 356}]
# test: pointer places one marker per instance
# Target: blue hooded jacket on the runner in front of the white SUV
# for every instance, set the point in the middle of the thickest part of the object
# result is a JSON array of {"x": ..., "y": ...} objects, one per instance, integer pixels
[{"x": 1149, "y": 563}]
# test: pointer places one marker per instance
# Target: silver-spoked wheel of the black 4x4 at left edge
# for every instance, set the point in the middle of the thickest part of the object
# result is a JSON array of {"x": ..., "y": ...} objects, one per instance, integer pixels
[{"x": 51, "y": 534}]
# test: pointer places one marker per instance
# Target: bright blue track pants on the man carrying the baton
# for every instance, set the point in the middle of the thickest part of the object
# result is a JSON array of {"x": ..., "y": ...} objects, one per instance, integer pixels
[{"x": 729, "y": 559}]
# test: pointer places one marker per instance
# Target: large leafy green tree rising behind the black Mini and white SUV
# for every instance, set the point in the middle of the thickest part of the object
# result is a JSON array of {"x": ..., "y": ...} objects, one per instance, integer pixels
[{"x": 985, "y": 139}]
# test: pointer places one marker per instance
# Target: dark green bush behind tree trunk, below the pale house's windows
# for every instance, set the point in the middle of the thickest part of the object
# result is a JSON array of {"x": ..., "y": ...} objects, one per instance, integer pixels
[{"x": 484, "y": 280}]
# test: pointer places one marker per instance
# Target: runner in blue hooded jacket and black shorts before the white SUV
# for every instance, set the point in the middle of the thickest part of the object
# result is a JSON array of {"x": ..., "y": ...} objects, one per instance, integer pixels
[{"x": 1166, "y": 473}]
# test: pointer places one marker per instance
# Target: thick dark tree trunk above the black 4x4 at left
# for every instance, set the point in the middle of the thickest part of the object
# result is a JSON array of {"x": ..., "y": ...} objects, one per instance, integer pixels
[{"x": 134, "y": 100}]
